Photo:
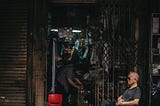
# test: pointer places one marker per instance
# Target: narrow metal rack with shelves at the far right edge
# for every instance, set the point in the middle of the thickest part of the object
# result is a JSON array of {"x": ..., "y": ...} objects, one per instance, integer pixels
[{"x": 155, "y": 53}]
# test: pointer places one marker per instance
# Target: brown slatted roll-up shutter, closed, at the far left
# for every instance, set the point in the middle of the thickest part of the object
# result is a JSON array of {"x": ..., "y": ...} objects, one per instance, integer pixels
[{"x": 13, "y": 52}]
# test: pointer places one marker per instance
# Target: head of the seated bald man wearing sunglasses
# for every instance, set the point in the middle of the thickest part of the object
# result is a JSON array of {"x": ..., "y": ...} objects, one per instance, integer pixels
[{"x": 133, "y": 78}]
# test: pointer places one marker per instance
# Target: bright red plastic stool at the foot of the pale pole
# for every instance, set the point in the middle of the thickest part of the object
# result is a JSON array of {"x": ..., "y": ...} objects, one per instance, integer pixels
[{"x": 55, "y": 100}]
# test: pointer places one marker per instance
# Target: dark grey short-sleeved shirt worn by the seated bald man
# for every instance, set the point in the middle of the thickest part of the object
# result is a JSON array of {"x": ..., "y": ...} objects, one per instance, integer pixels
[{"x": 131, "y": 94}]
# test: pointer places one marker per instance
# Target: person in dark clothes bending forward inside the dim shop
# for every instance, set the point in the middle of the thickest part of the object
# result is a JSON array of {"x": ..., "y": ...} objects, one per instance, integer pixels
[{"x": 67, "y": 82}]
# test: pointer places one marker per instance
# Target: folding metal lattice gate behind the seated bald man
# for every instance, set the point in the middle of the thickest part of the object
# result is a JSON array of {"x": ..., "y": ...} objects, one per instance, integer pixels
[{"x": 117, "y": 47}]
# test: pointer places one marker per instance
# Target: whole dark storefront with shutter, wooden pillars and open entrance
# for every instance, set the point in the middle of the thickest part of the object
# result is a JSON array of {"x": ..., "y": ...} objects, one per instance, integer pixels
[{"x": 113, "y": 38}]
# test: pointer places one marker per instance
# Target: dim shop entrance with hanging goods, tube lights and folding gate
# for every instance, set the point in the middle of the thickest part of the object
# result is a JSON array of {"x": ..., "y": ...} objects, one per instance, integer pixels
[{"x": 101, "y": 42}]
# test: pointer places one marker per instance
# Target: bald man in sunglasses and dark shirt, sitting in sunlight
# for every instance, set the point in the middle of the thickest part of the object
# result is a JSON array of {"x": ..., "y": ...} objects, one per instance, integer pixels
[{"x": 131, "y": 95}]
